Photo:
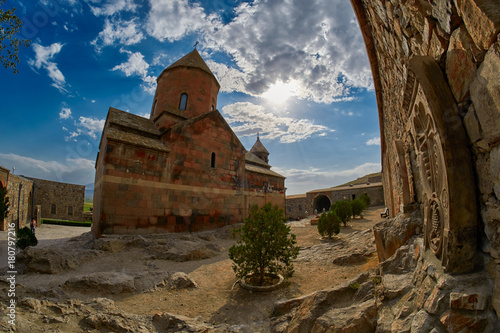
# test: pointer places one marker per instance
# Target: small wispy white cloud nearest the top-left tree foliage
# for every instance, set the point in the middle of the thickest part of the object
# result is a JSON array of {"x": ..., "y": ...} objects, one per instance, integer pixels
[{"x": 43, "y": 57}]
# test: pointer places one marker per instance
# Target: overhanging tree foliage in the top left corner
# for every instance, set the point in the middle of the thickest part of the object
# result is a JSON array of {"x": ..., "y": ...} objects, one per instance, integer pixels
[{"x": 9, "y": 43}]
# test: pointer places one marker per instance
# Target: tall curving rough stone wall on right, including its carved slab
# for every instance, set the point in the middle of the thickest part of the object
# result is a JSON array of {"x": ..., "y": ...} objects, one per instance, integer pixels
[{"x": 436, "y": 69}]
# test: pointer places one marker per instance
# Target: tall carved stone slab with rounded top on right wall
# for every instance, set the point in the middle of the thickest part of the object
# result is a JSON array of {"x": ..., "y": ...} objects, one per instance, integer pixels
[{"x": 445, "y": 168}]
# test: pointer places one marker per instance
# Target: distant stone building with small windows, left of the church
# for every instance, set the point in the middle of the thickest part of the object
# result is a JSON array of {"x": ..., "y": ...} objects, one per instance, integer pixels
[{"x": 61, "y": 201}]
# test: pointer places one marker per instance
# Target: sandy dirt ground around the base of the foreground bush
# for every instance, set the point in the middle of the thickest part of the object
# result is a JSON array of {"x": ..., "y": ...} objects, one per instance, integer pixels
[{"x": 218, "y": 300}]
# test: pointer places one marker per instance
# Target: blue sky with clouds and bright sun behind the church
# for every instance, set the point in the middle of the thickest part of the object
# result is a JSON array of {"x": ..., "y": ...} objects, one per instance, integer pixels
[{"x": 294, "y": 71}]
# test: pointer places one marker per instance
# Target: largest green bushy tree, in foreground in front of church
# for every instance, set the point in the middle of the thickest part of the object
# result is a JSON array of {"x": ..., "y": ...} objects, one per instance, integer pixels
[{"x": 266, "y": 245}]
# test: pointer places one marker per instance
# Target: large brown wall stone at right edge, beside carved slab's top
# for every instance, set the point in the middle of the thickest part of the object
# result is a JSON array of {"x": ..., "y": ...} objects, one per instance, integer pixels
[{"x": 485, "y": 94}]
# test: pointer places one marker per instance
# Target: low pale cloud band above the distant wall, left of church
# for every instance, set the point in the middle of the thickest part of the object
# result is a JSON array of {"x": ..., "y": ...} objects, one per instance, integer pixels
[{"x": 75, "y": 171}]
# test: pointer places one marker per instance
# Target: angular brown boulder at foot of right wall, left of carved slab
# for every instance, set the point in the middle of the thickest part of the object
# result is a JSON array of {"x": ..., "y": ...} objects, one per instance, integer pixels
[{"x": 393, "y": 233}]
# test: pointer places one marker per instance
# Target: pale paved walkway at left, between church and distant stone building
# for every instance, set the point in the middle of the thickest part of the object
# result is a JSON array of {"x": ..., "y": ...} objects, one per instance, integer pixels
[{"x": 47, "y": 235}]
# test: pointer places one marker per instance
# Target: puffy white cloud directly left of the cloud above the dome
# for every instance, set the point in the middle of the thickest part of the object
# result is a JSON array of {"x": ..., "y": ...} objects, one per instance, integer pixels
[{"x": 124, "y": 32}]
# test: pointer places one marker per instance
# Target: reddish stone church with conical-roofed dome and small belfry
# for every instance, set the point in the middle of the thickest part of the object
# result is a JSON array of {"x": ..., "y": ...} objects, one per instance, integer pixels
[{"x": 184, "y": 169}]
